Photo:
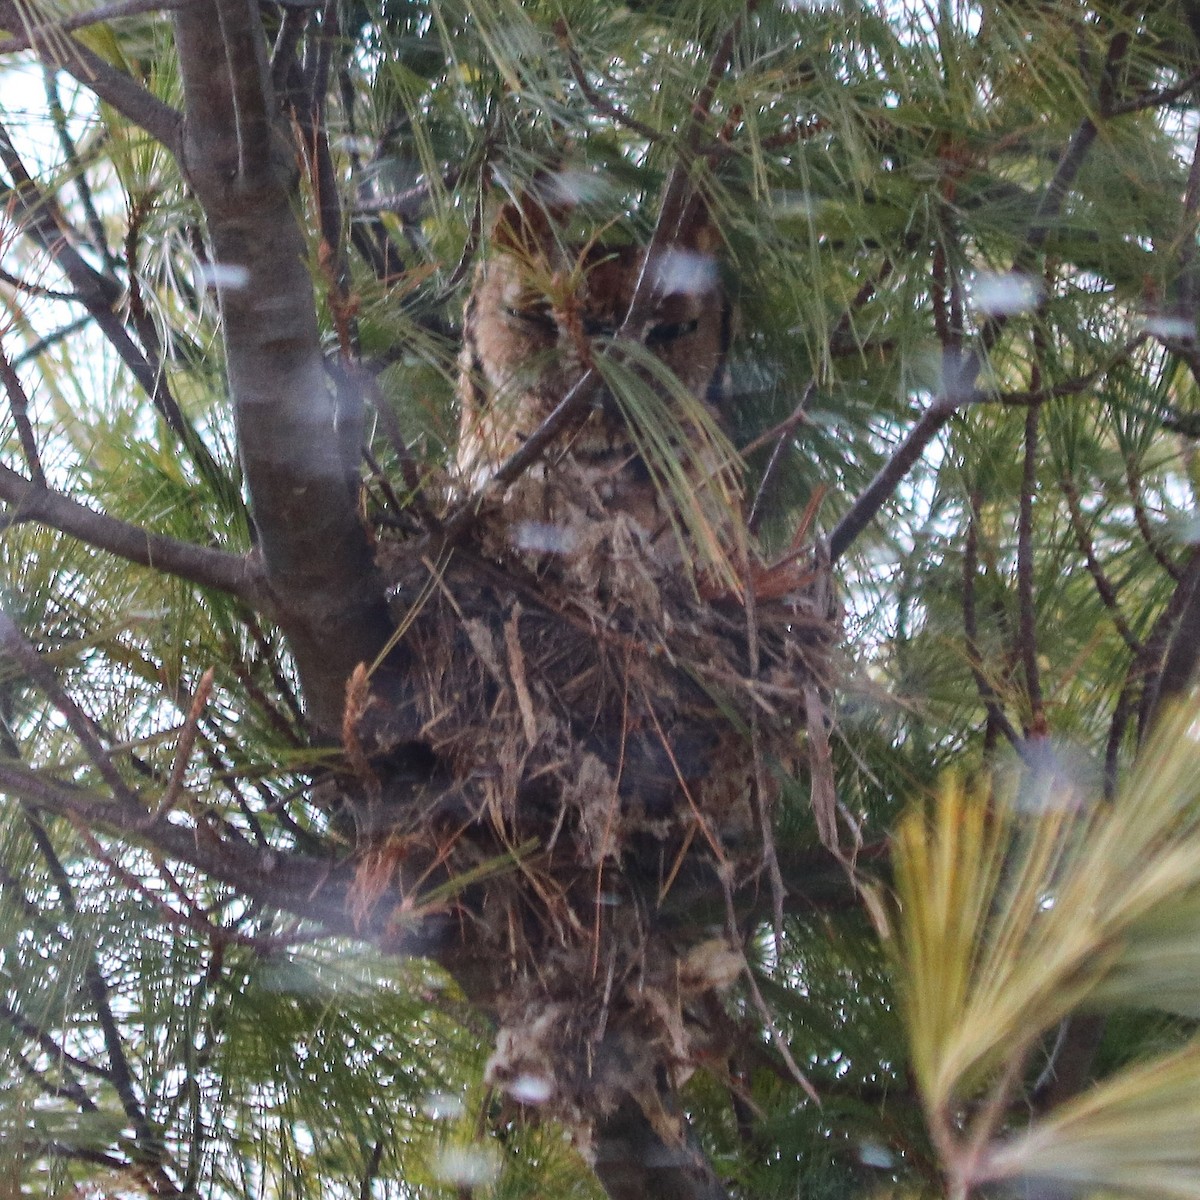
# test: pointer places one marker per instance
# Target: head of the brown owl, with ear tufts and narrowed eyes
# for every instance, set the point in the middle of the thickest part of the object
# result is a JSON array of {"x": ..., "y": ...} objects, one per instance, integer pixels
[{"x": 544, "y": 305}]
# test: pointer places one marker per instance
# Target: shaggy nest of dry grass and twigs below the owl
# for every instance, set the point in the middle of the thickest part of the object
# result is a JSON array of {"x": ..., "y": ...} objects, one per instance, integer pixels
[{"x": 609, "y": 739}]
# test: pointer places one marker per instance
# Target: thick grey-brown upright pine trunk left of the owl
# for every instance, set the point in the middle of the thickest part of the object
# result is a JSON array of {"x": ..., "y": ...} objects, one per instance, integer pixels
[{"x": 303, "y": 494}]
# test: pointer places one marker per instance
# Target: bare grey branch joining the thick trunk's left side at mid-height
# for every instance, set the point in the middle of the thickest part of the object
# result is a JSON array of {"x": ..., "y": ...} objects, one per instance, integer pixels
[{"x": 236, "y": 574}]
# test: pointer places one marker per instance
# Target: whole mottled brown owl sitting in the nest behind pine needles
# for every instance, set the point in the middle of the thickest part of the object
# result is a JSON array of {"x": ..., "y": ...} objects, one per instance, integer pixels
[{"x": 537, "y": 311}]
